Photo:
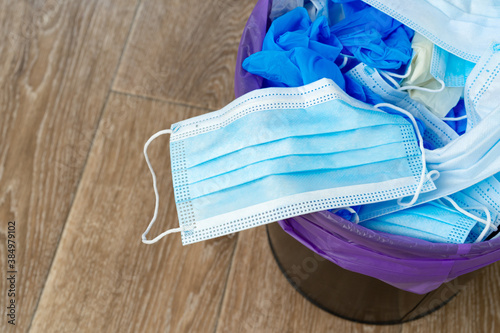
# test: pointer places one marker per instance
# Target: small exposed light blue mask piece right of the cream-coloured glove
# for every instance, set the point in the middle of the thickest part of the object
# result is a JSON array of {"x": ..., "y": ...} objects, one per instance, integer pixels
[{"x": 449, "y": 68}]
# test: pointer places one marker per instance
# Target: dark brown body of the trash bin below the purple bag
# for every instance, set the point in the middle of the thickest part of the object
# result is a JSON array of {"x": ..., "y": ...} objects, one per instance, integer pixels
[{"x": 351, "y": 295}]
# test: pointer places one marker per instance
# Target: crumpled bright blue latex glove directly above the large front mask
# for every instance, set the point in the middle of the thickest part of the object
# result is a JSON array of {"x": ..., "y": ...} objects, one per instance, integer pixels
[{"x": 296, "y": 52}]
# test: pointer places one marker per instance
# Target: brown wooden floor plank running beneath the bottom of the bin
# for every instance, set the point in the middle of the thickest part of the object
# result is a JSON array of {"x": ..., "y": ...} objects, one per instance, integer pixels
[{"x": 260, "y": 299}]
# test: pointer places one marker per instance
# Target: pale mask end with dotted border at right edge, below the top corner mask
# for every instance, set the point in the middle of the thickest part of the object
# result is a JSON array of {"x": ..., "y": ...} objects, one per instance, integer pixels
[{"x": 483, "y": 87}]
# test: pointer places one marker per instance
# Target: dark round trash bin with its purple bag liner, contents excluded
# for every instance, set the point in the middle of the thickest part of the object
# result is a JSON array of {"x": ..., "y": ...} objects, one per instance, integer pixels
[{"x": 353, "y": 272}]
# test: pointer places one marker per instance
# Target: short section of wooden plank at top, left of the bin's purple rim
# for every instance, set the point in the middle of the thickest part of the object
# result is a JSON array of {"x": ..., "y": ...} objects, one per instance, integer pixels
[{"x": 184, "y": 50}]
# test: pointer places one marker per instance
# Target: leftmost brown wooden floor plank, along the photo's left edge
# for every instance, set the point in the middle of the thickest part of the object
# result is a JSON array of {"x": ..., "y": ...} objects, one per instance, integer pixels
[{"x": 56, "y": 68}]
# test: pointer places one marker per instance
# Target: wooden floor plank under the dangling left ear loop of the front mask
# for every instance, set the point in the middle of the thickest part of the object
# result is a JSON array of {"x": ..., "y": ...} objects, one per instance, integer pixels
[{"x": 103, "y": 278}]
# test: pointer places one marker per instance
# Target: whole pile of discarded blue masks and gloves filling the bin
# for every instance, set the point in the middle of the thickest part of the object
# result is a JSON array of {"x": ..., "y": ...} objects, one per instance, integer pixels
[{"x": 383, "y": 114}]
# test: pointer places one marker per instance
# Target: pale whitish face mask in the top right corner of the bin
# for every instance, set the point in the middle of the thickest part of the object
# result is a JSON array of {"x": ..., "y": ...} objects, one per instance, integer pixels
[{"x": 465, "y": 28}]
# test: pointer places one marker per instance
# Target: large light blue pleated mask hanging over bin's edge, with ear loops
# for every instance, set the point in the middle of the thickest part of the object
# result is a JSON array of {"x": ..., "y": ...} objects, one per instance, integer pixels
[{"x": 281, "y": 152}]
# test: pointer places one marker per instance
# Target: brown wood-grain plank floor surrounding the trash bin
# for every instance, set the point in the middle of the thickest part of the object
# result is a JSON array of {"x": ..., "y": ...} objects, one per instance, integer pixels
[{"x": 83, "y": 85}]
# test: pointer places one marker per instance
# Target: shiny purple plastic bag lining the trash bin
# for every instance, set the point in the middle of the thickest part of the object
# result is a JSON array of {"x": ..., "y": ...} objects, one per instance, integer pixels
[{"x": 403, "y": 262}]
